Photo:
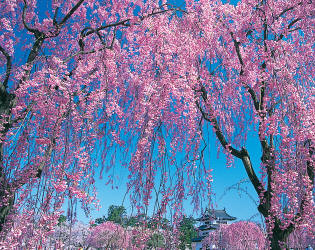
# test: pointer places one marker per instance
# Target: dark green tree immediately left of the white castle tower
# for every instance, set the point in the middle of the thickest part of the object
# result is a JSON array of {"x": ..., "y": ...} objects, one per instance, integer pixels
[{"x": 187, "y": 232}]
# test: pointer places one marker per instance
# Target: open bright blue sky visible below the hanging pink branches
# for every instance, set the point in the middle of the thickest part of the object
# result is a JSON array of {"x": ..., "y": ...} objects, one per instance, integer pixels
[{"x": 237, "y": 203}]
